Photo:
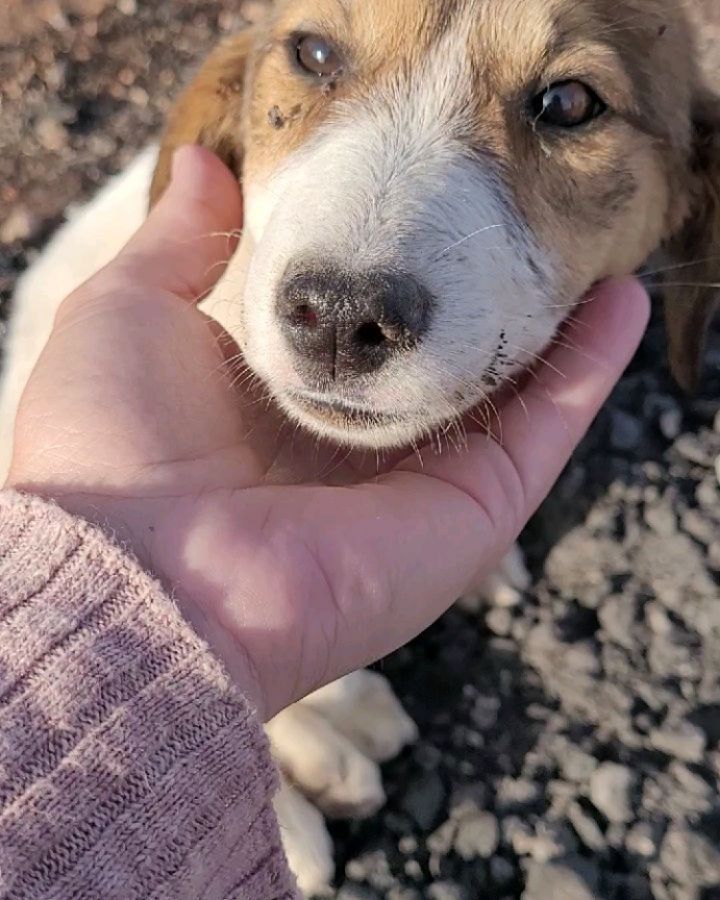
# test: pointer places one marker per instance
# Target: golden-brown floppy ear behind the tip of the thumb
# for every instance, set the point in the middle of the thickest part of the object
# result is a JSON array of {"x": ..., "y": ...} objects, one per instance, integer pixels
[{"x": 209, "y": 111}]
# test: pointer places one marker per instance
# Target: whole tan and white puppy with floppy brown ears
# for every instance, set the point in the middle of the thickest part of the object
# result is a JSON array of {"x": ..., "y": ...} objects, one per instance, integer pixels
[{"x": 430, "y": 186}]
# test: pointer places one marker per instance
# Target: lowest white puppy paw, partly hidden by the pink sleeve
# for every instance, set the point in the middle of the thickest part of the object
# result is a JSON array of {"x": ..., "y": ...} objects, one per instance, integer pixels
[{"x": 306, "y": 841}]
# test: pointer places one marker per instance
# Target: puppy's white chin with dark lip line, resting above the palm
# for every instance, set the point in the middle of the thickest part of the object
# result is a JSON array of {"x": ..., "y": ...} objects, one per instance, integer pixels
[{"x": 353, "y": 424}]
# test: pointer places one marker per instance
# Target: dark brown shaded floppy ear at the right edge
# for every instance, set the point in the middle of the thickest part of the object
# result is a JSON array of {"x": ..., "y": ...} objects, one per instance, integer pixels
[{"x": 692, "y": 287}]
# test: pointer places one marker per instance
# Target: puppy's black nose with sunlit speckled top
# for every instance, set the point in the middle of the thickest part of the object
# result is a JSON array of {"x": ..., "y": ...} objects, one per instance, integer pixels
[{"x": 344, "y": 324}]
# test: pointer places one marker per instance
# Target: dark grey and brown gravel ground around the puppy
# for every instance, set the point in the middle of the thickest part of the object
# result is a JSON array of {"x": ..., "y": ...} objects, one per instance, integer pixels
[{"x": 570, "y": 746}]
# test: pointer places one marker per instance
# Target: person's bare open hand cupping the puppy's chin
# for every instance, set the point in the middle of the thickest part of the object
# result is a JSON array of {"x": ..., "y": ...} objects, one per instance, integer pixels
[{"x": 131, "y": 419}]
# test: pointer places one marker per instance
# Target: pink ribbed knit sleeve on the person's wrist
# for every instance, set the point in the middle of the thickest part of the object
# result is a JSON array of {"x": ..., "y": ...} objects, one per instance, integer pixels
[{"x": 129, "y": 766}]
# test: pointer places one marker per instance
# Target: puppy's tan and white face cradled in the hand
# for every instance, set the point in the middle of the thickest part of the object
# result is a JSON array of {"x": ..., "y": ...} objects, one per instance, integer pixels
[{"x": 431, "y": 185}]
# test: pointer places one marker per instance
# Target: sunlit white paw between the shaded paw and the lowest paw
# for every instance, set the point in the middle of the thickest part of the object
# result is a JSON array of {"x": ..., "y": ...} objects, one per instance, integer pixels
[{"x": 324, "y": 764}]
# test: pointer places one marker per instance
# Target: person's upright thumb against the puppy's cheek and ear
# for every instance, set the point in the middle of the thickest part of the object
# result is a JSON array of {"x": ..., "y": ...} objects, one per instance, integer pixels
[{"x": 192, "y": 232}]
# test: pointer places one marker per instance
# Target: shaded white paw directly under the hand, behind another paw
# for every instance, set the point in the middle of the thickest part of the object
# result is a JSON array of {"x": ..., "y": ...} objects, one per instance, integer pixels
[{"x": 363, "y": 707}]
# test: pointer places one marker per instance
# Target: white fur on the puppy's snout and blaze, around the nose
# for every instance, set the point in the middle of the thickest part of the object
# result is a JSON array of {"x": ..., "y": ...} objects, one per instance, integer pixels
[{"x": 390, "y": 183}]
